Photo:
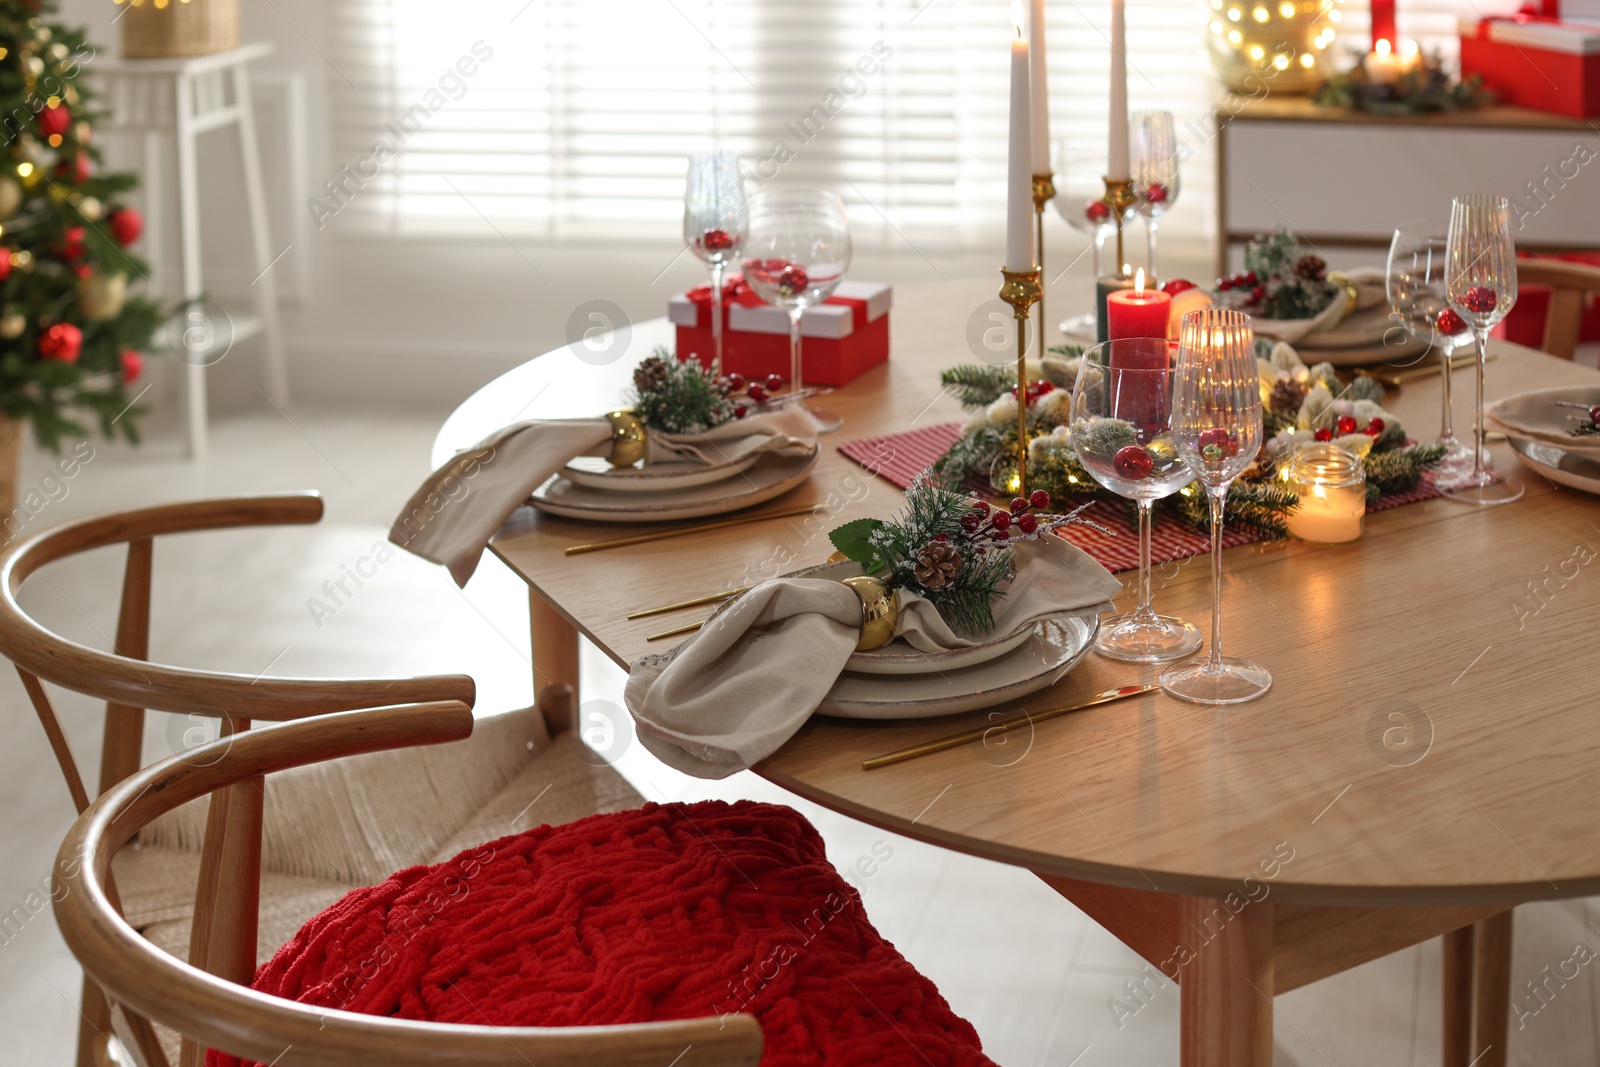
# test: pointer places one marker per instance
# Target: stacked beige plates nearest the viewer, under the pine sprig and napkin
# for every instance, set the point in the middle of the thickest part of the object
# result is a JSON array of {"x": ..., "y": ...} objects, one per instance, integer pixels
[{"x": 900, "y": 682}]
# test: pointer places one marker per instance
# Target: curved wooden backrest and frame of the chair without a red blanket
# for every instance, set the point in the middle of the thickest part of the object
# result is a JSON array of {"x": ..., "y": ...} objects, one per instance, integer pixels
[{"x": 130, "y": 684}]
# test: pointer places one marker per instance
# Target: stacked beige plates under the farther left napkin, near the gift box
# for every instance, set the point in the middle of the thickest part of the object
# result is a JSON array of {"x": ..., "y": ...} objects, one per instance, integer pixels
[{"x": 772, "y": 478}]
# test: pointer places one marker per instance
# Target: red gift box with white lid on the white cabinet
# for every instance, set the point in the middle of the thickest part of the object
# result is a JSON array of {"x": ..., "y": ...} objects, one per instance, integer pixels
[{"x": 1535, "y": 62}]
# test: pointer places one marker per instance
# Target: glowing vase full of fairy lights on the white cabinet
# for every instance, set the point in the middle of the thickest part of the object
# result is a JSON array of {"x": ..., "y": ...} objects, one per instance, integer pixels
[{"x": 1273, "y": 46}]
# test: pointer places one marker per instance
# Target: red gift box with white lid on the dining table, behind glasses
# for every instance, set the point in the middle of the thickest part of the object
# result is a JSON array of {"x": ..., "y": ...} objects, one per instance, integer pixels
[{"x": 841, "y": 338}]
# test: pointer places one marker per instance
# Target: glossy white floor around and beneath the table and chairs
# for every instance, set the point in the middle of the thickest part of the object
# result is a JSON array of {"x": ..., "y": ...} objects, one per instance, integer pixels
[{"x": 1044, "y": 985}]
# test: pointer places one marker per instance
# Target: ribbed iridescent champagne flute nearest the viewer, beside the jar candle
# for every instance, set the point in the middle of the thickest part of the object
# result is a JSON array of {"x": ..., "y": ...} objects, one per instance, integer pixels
[{"x": 1217, "y": 426}]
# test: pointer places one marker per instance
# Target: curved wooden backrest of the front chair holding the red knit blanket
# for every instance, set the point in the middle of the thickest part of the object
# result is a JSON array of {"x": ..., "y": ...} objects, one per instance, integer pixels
[{"x": 153, "y": 986}]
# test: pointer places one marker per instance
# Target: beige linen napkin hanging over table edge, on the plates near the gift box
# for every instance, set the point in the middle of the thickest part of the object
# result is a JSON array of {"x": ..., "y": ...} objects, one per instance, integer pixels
[{"x": 458, "y": 508}]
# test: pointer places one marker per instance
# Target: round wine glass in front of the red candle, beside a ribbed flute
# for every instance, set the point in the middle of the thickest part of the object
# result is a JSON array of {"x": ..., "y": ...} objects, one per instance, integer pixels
[{"x": 1122, "y": 431}]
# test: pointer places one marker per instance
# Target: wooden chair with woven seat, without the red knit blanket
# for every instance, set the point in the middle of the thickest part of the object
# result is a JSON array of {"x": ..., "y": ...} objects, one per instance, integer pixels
[{"x": 310, "y": 861}]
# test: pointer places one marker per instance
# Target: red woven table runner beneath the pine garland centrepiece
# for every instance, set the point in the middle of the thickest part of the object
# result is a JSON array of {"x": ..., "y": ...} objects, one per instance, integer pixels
[{"x": 903, "y": 457}]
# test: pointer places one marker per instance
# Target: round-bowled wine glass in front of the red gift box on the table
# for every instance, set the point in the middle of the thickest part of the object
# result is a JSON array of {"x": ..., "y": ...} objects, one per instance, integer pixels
[{"x": 796, "y": 252}]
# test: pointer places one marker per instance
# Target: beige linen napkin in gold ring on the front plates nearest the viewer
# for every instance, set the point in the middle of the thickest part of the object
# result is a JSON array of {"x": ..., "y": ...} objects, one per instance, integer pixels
[{"x": 743, "y": 685}]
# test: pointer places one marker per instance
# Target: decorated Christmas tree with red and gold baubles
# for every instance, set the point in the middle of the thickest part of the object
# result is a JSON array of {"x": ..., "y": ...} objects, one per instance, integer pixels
[{"x": 71, "y": 338}]
